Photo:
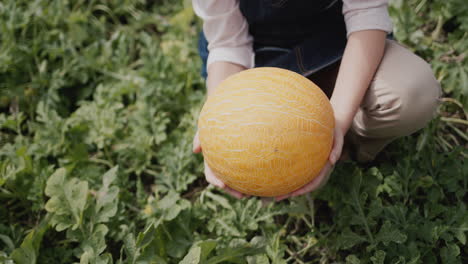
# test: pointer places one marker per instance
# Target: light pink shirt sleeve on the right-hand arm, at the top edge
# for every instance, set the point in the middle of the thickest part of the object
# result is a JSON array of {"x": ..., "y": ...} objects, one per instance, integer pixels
[{"x": 366, "y": 14}]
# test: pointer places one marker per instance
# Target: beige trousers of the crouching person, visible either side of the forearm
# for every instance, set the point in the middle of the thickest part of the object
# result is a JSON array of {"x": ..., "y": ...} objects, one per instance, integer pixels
[{"x": 401, "y": 99}]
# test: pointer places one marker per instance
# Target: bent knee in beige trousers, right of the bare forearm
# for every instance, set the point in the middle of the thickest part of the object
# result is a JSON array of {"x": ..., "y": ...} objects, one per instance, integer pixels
[{"x": 404, "y": 95}]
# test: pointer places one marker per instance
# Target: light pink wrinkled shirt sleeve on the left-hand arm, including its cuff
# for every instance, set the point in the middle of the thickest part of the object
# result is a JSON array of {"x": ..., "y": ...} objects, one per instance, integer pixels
[{"x": 226, "y": 30}]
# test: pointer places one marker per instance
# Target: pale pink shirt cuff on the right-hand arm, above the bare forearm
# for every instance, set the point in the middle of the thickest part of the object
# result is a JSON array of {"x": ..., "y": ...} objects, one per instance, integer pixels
[{"x": 374, "y": 18}]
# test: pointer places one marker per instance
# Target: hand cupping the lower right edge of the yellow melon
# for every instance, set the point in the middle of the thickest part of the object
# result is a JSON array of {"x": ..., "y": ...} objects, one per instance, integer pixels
[{"x": 322, "y": 178}]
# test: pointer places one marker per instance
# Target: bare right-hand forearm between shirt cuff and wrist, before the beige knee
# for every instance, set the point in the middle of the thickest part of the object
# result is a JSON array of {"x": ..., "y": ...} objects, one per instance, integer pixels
[{"x": 361, "y": 58}]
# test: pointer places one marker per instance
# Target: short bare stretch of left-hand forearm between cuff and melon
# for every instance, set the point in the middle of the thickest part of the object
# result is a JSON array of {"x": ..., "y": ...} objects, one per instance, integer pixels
[{"x": 218, "y": 71}]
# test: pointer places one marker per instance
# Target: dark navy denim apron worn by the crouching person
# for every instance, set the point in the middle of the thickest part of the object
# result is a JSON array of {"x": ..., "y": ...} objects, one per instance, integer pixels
[{"x": 303, "y": 36}]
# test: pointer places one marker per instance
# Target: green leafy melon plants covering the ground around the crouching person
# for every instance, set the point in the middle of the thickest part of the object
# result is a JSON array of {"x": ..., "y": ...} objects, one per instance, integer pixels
[{"x": 98, "y": 107}]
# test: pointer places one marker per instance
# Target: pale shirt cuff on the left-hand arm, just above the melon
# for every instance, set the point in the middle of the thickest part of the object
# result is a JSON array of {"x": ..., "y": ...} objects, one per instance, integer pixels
[{"x": 239, "y": 55}]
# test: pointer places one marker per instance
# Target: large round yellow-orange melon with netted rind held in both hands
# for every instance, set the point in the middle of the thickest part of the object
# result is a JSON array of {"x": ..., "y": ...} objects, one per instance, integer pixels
[{"x": 266, "y": 131}]
